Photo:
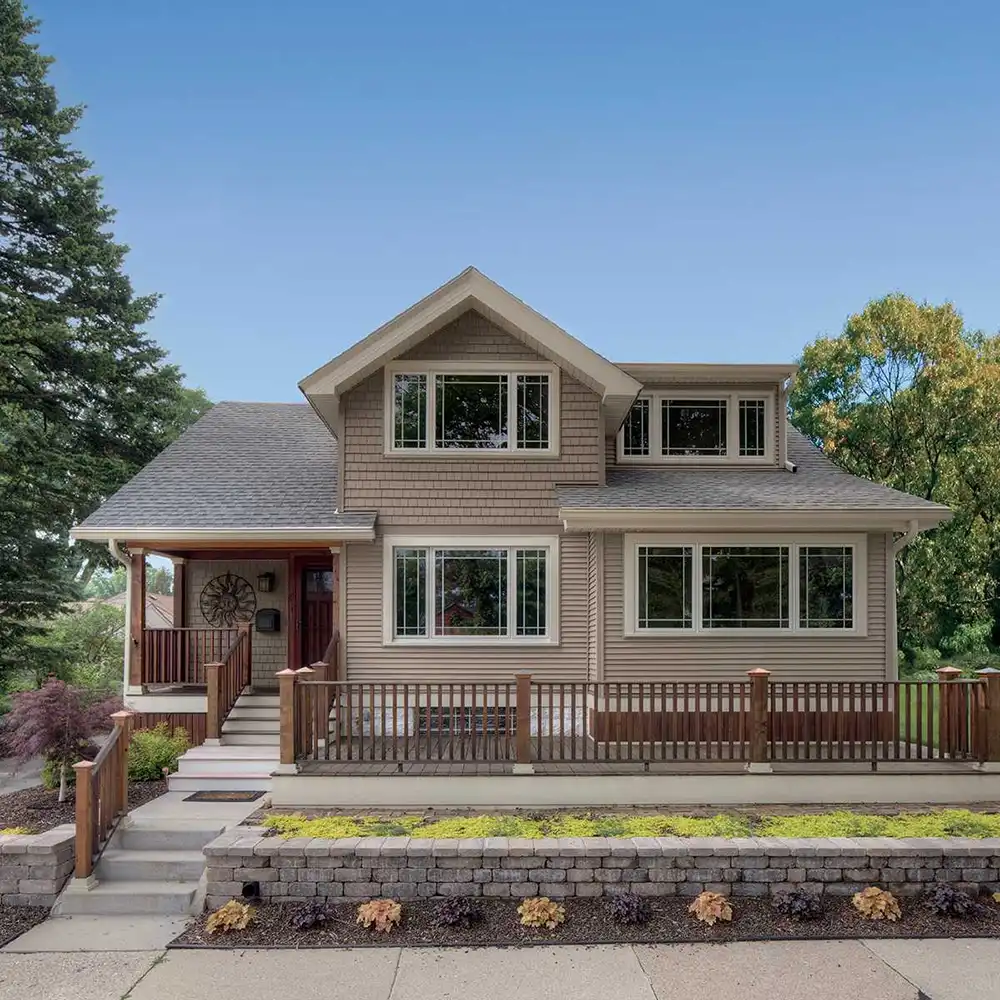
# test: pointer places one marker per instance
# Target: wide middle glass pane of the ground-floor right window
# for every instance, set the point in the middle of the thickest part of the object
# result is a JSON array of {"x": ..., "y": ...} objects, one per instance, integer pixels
[{"x": 745, "y": 586}]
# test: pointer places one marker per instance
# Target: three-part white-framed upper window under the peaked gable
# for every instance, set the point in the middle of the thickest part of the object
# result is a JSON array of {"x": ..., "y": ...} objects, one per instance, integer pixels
[{"x": 472, "y": 408}]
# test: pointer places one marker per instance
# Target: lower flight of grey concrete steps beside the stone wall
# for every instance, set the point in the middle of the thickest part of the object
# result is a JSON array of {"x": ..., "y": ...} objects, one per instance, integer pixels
[{"x": 150, "y": 867}]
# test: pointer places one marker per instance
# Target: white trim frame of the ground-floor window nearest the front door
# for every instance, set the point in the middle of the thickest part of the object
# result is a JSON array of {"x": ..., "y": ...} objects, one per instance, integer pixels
[{"x": 509, "y": 542}]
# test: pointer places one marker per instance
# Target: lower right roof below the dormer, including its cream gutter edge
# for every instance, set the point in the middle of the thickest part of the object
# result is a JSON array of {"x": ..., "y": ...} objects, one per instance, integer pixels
[{"x": 818, "y": 491}]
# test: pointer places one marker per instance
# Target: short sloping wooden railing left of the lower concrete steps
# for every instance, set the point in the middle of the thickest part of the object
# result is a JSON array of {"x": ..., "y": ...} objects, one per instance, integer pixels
[{"x": 101, "y": 794}]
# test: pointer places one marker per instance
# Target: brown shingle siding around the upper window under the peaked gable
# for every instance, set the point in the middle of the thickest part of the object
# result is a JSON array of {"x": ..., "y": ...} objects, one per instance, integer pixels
[{"x": 463, "y": 490}]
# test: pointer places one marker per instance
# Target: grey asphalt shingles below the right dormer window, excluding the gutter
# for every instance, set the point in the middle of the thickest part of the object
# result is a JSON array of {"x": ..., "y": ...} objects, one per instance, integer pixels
[{"x": 817, "y": 484}]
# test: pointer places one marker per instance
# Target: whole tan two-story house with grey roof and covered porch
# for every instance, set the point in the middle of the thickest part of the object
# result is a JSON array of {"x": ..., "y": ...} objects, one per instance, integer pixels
[{"x": 470, "y": 493}]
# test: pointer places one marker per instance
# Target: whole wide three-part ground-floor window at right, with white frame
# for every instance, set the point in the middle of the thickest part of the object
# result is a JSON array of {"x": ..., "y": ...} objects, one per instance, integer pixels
[{"x": 742, "y": 584}]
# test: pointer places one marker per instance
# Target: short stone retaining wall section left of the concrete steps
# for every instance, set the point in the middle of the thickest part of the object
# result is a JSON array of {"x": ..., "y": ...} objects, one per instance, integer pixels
[{"x": 34, "y": 867}]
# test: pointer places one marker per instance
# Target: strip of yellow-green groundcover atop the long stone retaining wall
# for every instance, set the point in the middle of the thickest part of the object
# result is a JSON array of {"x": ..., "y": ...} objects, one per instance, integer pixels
[{"x": 940, "y": 823}]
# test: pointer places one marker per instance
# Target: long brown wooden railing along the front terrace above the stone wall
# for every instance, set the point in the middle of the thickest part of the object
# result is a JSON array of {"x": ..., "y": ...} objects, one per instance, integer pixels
[{"x": 757, "y": 722}]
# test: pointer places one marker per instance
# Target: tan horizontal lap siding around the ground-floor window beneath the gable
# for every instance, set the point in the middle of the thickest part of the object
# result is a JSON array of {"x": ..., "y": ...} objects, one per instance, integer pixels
[{"x": 369, "y": 660}]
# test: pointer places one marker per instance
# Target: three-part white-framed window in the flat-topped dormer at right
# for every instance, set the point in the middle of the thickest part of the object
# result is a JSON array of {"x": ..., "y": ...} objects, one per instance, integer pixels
[{"x": 698, "y": 426}]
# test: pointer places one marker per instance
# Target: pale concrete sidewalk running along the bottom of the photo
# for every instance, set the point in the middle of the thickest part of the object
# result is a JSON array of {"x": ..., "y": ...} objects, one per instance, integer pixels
[{"x": 821, "y": 970}]
